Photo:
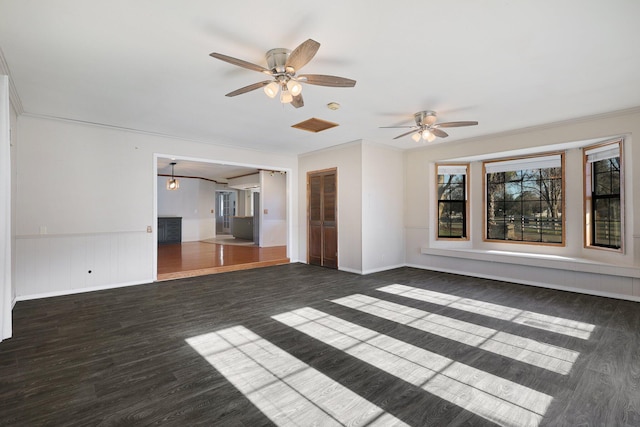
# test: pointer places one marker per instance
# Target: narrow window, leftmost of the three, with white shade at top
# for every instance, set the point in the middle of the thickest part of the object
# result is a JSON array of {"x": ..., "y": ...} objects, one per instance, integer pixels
[{"x": 452, "y": 201}]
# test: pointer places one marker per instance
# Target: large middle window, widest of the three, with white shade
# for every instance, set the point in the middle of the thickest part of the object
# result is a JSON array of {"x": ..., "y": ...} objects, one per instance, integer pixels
[{"x": 524, "y": 200}]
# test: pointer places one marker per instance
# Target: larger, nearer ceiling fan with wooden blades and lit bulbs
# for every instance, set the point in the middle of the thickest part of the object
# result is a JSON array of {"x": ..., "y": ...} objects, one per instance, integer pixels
[{"x": 282, "y": 66}]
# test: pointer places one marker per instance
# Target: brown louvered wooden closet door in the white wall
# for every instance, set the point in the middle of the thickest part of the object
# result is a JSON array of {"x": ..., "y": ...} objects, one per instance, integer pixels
[{"x": 322, "y": 198}]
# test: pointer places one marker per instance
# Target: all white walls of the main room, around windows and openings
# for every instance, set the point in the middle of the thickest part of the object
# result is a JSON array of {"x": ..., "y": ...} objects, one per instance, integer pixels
[{"x": 85, "y": 195}]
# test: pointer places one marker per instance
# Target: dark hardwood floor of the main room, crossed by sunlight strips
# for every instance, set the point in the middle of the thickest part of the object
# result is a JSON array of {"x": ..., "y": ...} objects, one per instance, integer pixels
[{"x": 303, "y": 345}]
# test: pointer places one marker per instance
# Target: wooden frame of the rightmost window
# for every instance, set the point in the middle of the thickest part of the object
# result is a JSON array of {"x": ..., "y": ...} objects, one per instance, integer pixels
[{"x": 588, "y": 206}]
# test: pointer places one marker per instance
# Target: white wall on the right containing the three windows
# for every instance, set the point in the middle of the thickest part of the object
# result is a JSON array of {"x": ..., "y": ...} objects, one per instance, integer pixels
[{"x": 572, "y": 267}]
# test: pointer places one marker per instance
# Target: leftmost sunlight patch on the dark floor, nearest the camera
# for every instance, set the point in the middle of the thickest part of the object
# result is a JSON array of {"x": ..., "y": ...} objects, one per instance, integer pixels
[{"x": 288, "y": 391}]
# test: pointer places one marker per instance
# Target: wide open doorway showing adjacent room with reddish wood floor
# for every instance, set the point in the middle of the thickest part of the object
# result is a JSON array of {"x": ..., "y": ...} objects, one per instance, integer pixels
[{"x": 210, "y": 220}]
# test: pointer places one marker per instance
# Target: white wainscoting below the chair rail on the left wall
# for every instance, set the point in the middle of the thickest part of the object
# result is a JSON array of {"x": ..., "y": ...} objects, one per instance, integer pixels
[{"x": 50, "y": 265}]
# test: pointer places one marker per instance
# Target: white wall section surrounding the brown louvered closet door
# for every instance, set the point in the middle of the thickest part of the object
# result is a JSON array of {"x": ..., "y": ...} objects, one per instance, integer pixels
[{"x": 347, "y": 158}]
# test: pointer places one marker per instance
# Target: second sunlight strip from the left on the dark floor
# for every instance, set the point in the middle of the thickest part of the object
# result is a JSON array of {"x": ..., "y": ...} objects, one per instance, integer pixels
[{"x": 493, "y": 398}]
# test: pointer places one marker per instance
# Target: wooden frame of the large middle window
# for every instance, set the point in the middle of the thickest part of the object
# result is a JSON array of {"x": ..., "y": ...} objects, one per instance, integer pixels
[{"x": 524, "y": 160}]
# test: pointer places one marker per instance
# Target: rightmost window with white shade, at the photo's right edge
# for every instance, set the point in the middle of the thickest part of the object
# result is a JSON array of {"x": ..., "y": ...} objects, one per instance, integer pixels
[{"x": 603, "y": 196}]
